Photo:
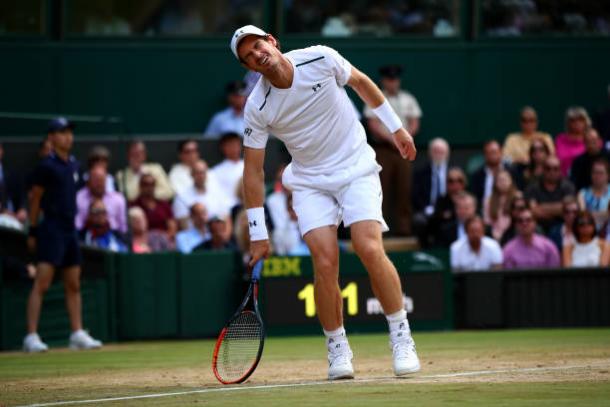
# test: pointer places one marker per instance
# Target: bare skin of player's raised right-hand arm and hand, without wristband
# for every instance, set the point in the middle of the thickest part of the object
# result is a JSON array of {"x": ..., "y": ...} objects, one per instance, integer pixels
[{"x": 372, "y": 96}]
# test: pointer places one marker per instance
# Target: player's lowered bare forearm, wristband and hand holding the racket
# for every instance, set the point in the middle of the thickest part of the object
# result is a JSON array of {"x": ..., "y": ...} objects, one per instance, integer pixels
[{"x": 254, "y": 196}]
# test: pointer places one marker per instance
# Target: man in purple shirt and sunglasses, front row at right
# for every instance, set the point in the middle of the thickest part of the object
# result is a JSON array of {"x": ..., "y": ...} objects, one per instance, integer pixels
[{"x": 529, "y": 249}]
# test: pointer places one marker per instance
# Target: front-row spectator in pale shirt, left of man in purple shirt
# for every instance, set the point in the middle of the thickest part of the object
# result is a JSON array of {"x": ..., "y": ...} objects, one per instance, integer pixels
[{"x": 475, "y": 252}]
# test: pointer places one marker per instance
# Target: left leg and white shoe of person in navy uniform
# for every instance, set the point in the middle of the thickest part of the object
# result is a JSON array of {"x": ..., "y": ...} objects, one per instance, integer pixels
[{"x": 42, "y": 282}]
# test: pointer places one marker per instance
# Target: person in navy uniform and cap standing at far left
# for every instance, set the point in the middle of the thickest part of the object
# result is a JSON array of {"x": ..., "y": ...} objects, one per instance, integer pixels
[{"x": 54, "y": 238}]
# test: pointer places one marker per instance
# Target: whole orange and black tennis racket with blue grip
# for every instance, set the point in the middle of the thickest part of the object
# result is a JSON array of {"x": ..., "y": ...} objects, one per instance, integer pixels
[{"x": 240, "y": 344}]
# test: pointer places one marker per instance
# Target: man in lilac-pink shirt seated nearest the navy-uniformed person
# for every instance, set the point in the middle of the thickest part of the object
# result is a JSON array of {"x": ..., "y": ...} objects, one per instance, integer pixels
[{"x": 96, "y": 189}]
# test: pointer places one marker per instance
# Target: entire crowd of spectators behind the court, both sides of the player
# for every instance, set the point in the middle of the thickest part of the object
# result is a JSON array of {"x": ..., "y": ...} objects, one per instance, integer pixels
[{"x": 534, "y": 200}]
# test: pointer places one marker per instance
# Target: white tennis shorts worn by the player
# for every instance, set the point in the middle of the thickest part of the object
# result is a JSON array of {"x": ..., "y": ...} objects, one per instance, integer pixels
[{"x": 357, "y": 201}]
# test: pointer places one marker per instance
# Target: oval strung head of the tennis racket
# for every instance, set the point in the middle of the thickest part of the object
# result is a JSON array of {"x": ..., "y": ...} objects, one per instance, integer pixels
[{"x": 240, "y": 346}]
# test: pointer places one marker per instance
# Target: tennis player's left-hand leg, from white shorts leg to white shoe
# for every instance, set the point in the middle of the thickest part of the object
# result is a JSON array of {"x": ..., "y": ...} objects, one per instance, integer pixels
[{"x": 317, "y": 214}]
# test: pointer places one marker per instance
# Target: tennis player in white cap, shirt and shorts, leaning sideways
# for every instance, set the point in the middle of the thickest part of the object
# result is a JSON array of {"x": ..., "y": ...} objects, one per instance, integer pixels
[{"x": 300, "y": 99}]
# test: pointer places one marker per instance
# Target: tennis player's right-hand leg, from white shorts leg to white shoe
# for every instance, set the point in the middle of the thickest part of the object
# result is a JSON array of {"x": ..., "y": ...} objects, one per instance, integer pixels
[{"x": 362, "y": 212}]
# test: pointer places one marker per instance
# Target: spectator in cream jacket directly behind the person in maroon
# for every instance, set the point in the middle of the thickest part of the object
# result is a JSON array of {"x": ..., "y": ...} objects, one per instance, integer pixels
[{"x": 129, "y": 179}]
